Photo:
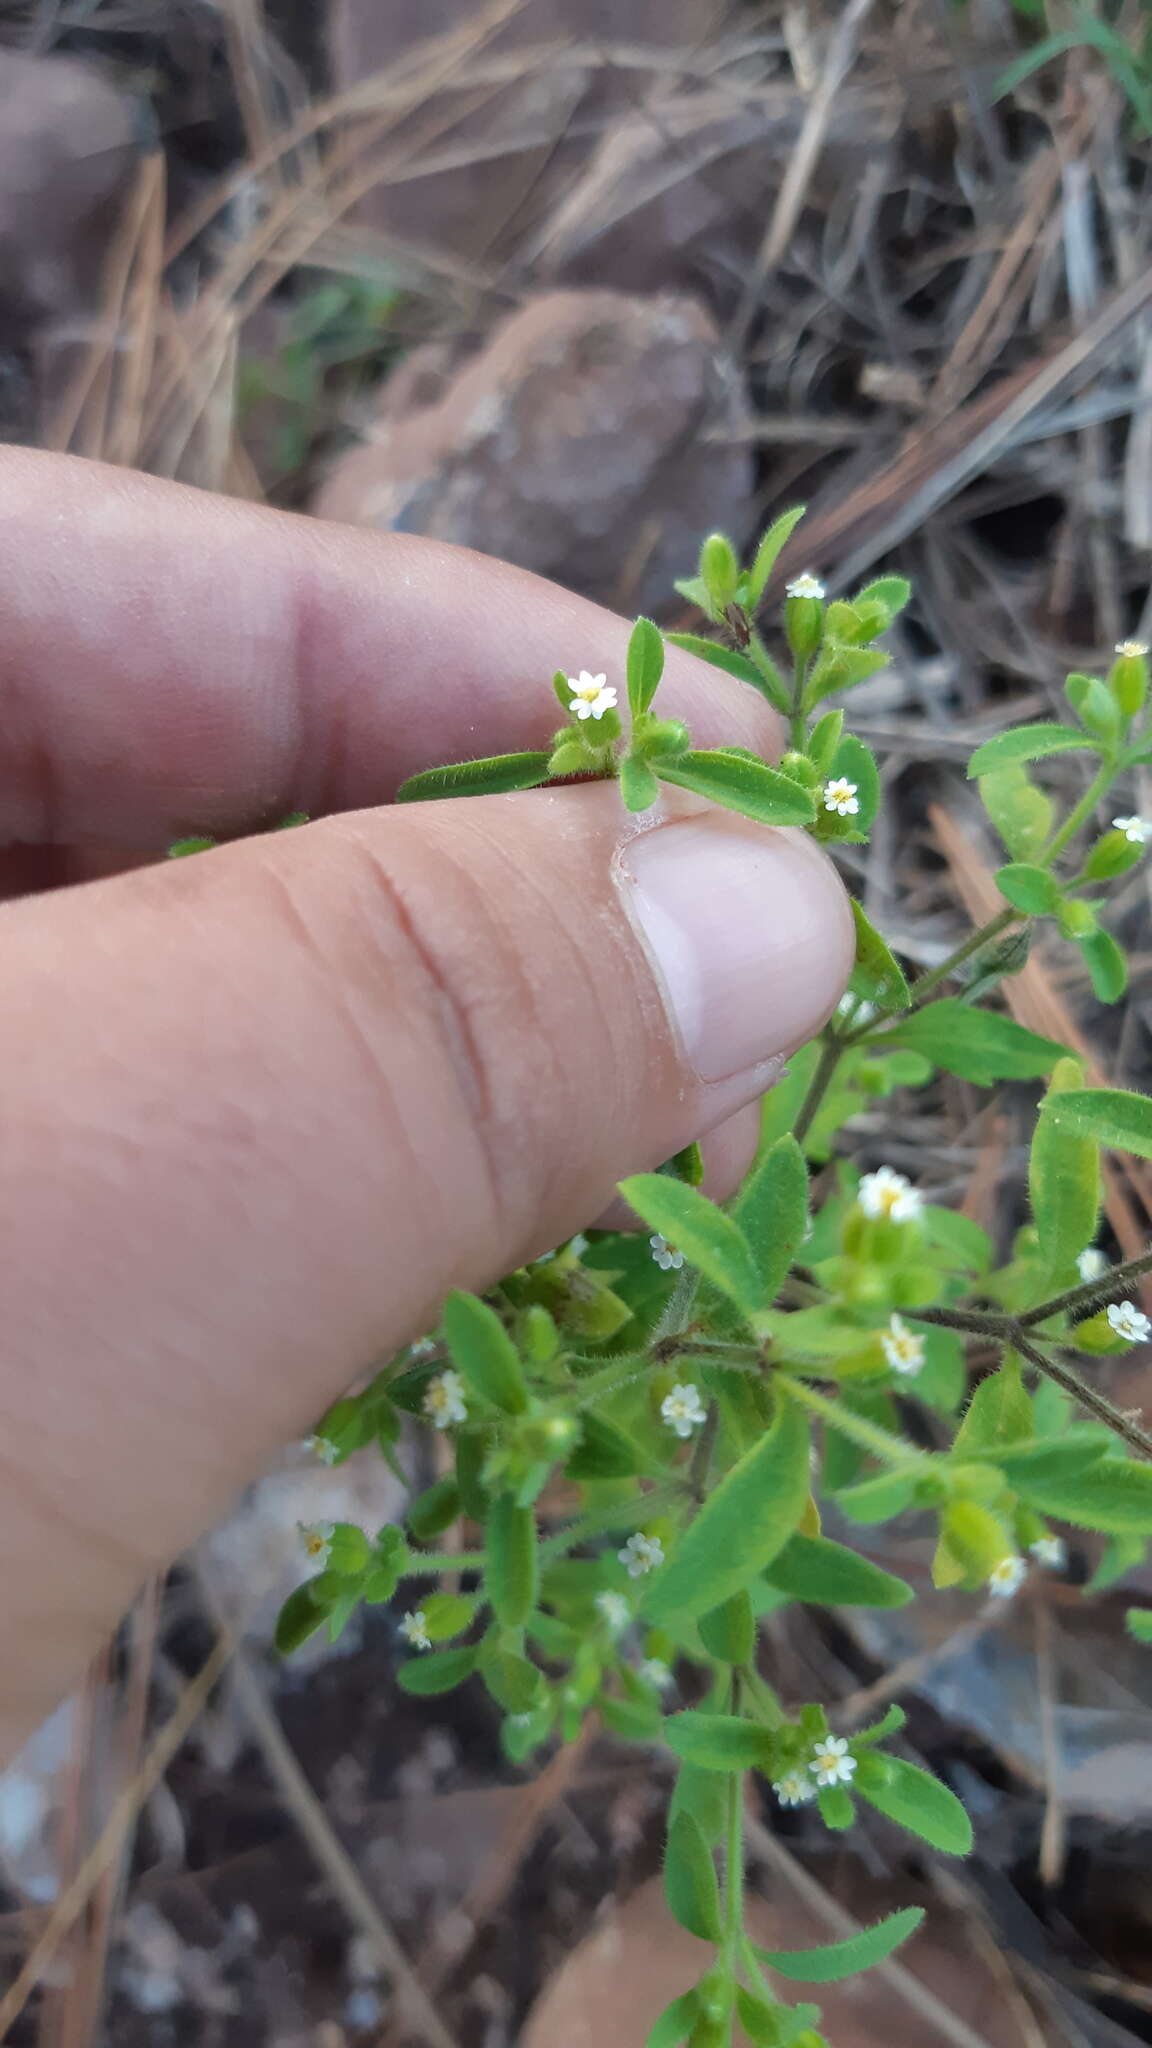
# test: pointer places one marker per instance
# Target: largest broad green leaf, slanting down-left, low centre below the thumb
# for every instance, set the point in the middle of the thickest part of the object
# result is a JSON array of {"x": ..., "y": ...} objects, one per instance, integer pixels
[{"x": 741, "y": 1527}]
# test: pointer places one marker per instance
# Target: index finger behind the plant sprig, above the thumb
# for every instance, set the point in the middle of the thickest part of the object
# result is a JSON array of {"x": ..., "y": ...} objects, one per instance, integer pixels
[{"x": 177, "y": 663}]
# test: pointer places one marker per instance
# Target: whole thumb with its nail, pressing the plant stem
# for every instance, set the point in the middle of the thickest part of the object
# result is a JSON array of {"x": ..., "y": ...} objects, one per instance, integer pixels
[{"x": 302, "y": 1086}]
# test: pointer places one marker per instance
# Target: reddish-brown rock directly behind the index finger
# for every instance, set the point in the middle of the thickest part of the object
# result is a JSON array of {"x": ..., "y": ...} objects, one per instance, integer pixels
[{"x": 577, "y": 443}]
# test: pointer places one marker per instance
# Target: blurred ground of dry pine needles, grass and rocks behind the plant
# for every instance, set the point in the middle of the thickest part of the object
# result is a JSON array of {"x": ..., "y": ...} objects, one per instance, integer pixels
[{"x": 423, "y": 267}]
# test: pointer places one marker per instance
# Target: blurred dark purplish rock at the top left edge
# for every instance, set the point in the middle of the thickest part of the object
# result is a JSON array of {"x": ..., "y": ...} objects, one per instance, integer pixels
[{"x": 69, "y": 148}]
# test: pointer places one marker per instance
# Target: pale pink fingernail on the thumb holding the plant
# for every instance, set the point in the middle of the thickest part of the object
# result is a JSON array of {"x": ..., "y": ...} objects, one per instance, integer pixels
[{"x": 749, "y": 933}]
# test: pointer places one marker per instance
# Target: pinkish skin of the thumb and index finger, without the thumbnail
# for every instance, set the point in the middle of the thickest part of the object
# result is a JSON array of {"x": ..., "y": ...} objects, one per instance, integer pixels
[{"x": 261, "y": 1109}]
